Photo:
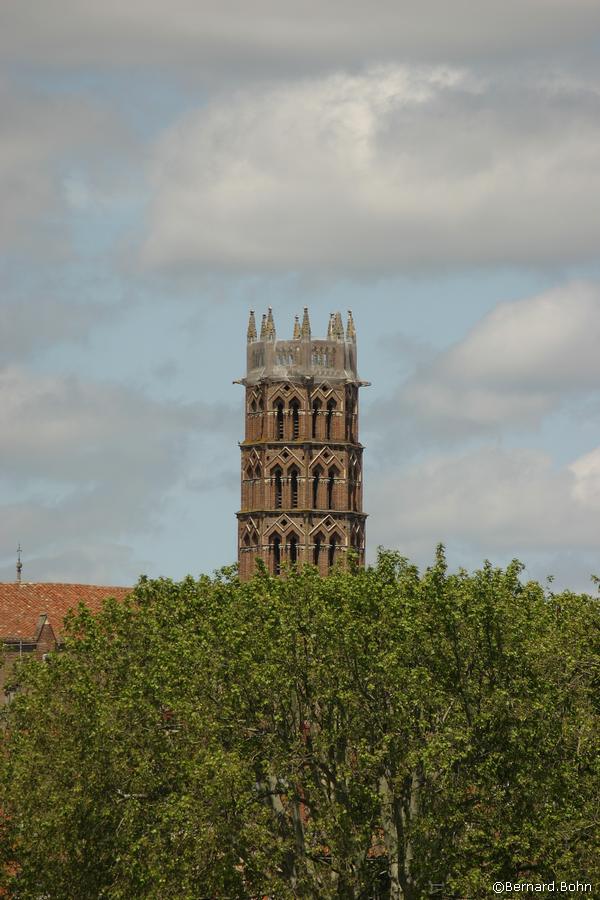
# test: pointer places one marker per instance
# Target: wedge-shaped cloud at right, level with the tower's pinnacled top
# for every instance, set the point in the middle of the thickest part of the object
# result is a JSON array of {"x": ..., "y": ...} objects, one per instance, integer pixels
[{"x": 521, "y": 362}]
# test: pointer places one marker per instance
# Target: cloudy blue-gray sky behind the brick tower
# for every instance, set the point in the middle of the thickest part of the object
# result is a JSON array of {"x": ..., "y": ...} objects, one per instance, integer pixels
[{"x": 164, "y": 168}]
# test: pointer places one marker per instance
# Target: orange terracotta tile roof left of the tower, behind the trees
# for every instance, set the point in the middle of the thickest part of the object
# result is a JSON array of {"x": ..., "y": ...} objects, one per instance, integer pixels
[{"x": 22, "y": 604}]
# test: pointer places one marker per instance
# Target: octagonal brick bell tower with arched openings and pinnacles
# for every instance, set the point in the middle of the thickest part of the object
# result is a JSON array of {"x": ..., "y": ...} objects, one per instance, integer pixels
[{"x": 301, "y": 458}]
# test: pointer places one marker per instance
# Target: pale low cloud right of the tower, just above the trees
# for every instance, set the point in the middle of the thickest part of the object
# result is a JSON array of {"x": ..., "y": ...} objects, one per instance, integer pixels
[{"x": 490, "y": 502}]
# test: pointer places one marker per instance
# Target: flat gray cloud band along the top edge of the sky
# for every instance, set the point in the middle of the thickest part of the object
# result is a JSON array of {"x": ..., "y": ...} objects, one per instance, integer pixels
[{"x": 223, "y": 37}]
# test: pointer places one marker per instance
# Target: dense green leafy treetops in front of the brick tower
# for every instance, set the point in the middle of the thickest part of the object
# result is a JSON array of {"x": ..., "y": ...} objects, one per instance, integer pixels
[{"x": 364, "y": 735}]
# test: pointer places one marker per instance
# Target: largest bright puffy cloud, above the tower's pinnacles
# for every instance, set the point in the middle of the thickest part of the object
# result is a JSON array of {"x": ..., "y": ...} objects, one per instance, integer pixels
[{"x": 392, "y": 169}]
